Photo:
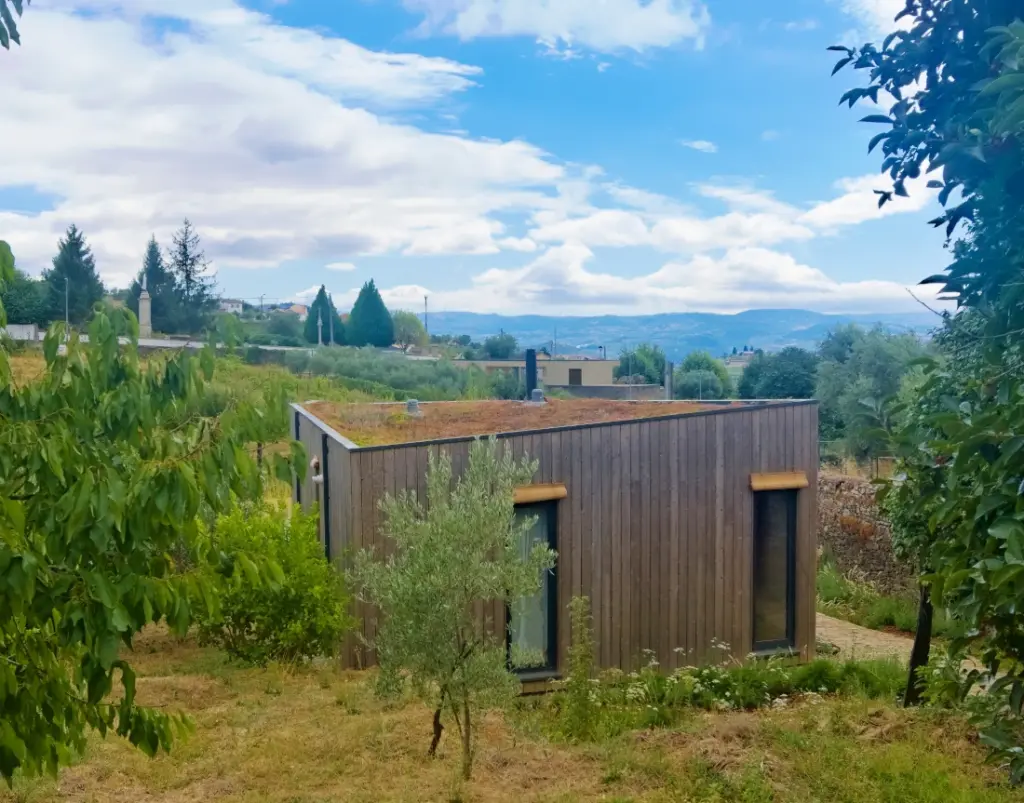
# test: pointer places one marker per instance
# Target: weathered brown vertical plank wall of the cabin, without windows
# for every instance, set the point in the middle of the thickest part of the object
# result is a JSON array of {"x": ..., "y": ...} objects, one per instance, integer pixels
[{"x": 657, "y": 529}]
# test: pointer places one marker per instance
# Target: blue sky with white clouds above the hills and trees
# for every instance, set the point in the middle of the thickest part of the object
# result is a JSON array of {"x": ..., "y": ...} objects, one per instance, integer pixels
[{"x": 559, "y": 157}]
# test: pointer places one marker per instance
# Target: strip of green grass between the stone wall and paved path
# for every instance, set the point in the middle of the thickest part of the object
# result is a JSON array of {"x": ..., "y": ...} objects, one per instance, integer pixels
[{"x": 863, "y": 605}]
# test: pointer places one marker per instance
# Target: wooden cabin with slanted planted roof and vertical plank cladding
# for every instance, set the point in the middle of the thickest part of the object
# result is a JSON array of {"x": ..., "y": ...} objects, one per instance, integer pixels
[{"x": 690, "y": 526}]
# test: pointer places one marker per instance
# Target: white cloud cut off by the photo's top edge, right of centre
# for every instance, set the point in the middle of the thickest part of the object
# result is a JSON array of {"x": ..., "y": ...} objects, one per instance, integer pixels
[{"x": 608, "y": 26}]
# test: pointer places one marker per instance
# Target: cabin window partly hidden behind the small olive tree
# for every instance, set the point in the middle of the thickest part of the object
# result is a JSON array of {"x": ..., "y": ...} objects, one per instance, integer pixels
[{"x": 533, "y": 627}]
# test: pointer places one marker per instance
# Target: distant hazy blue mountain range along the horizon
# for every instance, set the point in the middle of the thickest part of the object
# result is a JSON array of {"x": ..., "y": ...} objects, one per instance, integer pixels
[{"x": 676, "y": 333}]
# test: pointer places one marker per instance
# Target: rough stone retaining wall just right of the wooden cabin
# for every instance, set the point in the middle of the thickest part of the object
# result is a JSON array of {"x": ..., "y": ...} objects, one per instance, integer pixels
[{"x": 856, "y": 533}]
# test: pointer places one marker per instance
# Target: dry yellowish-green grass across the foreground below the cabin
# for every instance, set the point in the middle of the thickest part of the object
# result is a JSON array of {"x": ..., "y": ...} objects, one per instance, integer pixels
[{"x": 321, "y": 736}]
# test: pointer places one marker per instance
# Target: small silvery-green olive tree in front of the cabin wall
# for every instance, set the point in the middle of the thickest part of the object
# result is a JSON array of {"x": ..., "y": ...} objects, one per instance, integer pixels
[{"x": 455, "y": 550}]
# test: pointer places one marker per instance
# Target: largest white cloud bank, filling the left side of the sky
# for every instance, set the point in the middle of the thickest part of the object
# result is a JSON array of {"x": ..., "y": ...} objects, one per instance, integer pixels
[{"x": 136, "y": 132}]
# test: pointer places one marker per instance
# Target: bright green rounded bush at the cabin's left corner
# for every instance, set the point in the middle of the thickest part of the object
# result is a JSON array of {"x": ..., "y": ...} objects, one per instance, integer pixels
[{"x": 303, "y": 615}]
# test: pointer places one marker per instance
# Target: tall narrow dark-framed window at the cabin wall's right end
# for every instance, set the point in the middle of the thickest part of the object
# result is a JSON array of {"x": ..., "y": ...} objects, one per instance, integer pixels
[{"x": 775, "y": 567}]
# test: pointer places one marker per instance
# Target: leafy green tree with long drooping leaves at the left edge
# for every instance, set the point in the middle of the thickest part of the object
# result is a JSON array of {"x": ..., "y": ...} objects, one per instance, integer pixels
[{"x": 105, "y": 467}]
